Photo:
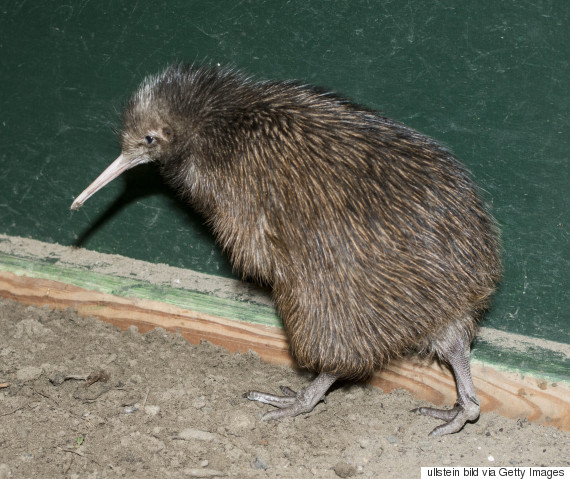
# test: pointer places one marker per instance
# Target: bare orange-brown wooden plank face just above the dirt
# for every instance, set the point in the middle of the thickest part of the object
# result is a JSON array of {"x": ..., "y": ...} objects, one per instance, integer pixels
[{"x": 507, "y": 393}]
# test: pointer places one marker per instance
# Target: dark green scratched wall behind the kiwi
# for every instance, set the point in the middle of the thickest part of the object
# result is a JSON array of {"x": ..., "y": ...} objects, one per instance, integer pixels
[{"x": 488, "y": 79}]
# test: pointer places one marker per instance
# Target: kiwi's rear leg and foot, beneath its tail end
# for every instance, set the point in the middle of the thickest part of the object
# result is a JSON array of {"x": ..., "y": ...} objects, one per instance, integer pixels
[{"x": 467, "y": 406}]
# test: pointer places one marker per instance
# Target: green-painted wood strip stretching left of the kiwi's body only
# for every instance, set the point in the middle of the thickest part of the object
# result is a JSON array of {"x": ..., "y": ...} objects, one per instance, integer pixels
[{"x": 192, "y": 300}]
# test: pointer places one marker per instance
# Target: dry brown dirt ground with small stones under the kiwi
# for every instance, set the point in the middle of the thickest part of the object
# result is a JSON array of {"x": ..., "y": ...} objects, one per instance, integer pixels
[{"x": 79, "y": 398}]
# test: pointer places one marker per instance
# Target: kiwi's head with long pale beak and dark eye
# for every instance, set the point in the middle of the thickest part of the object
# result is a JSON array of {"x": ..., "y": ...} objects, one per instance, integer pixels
[{"x": 185, "y": 119}]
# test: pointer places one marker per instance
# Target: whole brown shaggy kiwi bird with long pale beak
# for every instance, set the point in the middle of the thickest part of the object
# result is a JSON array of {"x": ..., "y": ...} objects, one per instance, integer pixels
[{"x": 372, "y": 236}]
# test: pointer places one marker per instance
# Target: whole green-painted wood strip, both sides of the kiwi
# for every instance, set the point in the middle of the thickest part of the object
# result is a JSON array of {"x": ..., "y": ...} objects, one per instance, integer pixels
[{"x": 539, "y": 362}]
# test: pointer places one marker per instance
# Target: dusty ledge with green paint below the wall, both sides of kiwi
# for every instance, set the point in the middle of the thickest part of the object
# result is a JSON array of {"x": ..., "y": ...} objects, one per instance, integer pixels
[{"x": 236, "y": 300}]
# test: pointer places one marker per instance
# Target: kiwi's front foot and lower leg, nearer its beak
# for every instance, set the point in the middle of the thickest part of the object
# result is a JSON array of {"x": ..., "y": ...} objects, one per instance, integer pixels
[{"x": 292, "y": 403}]
